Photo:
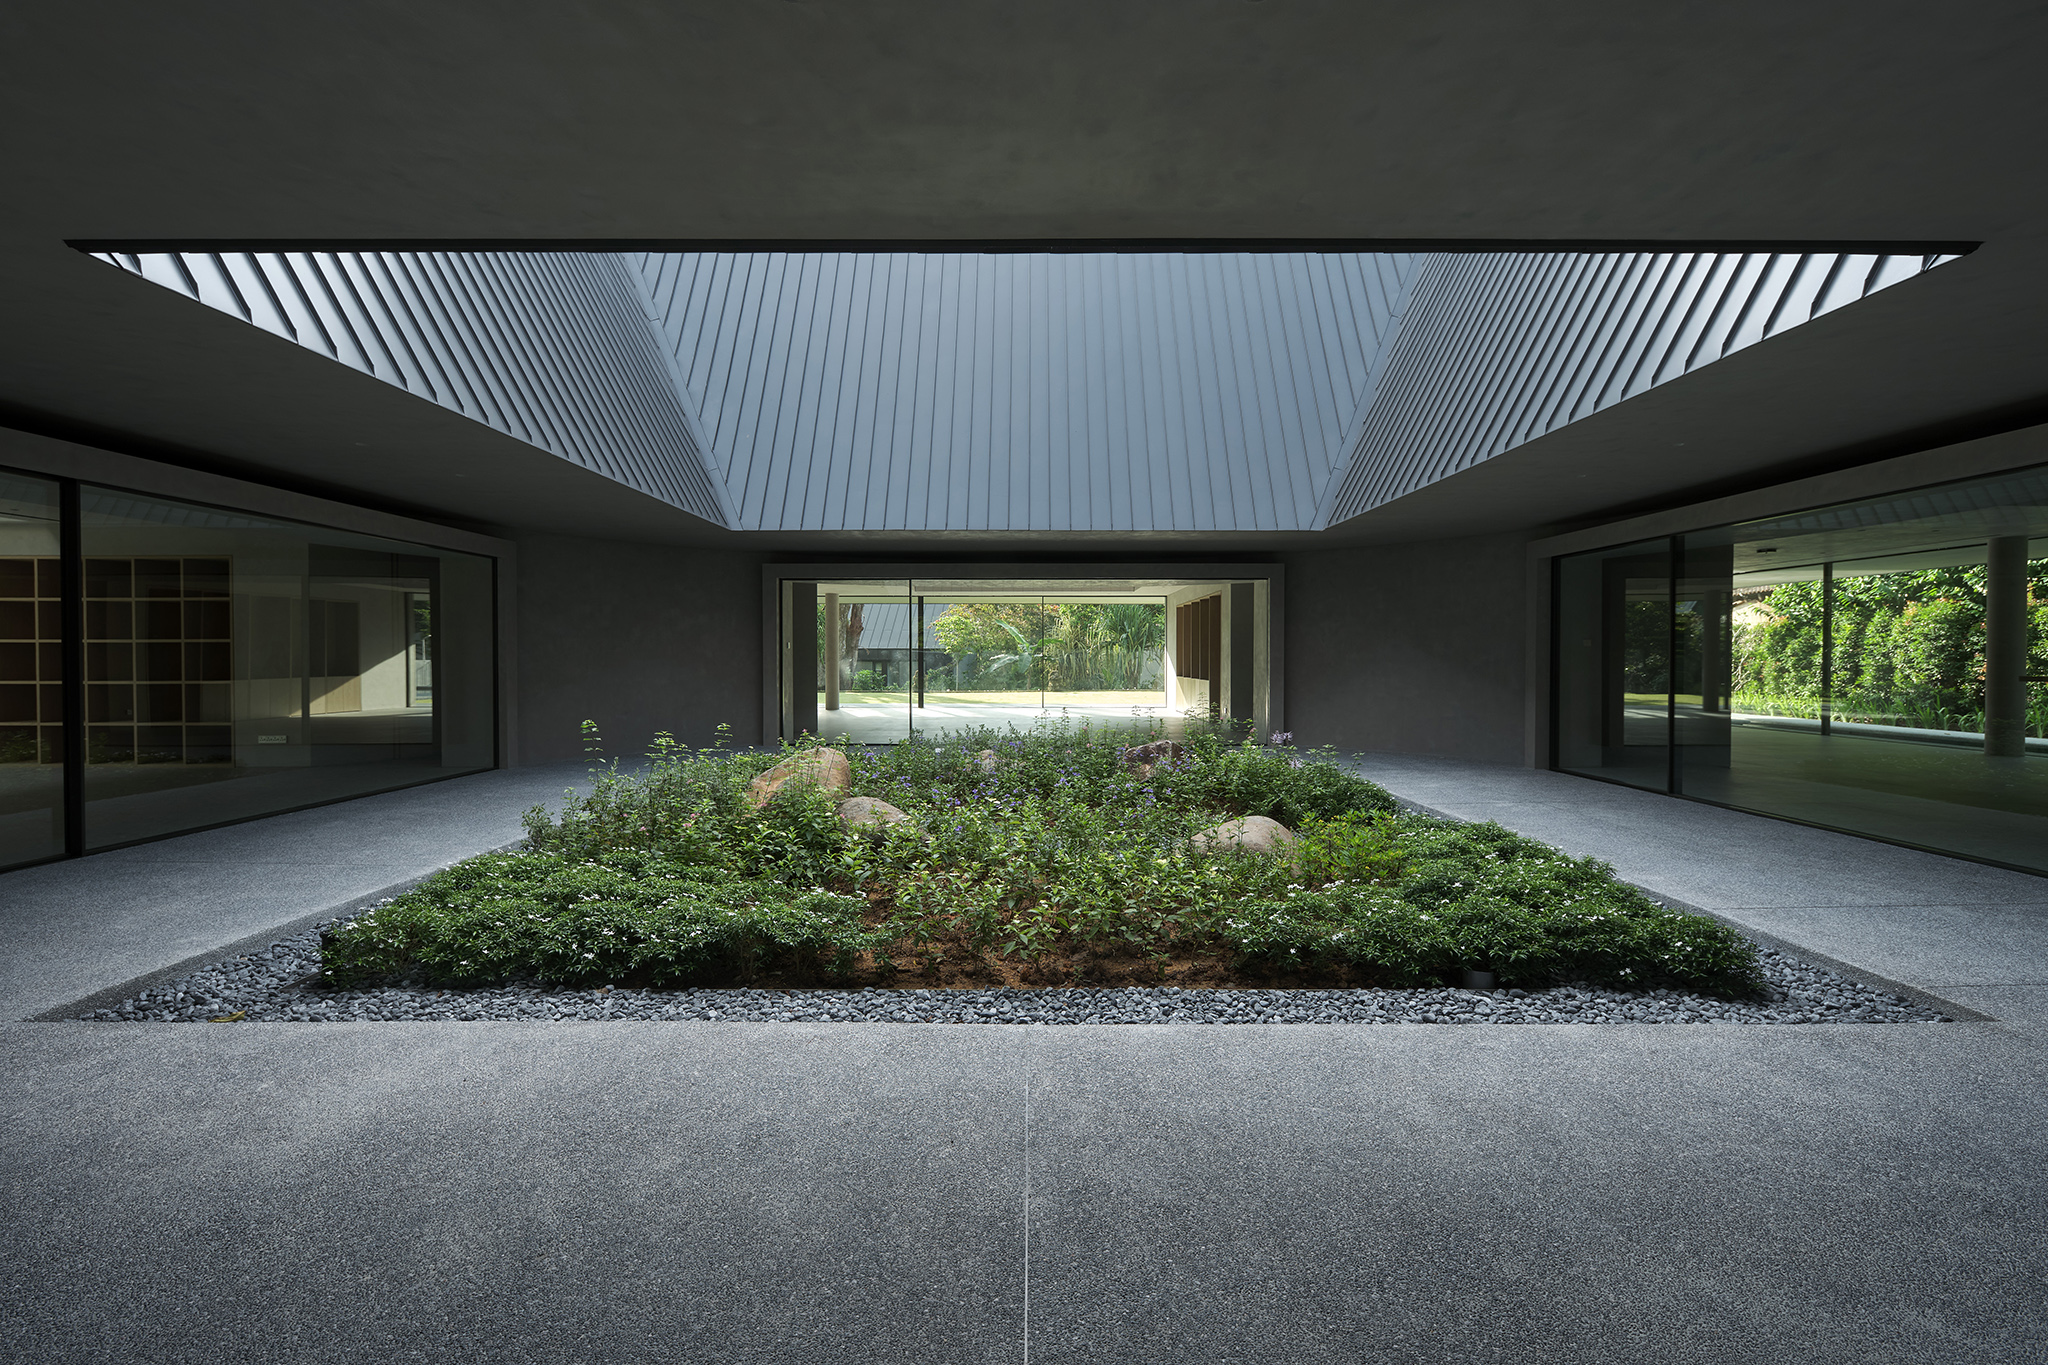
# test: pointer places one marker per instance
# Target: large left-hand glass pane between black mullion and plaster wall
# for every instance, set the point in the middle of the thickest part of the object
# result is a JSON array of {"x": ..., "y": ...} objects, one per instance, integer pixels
[{"x": 241, "y": 666}]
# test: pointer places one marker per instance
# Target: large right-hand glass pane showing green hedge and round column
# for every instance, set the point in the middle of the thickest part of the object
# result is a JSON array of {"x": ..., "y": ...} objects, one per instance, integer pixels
[{"x": 1859, "y": 660}]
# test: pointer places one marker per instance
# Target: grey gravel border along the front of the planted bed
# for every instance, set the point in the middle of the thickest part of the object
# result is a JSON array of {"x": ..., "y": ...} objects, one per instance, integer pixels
[{"x": 278, "y": 985}]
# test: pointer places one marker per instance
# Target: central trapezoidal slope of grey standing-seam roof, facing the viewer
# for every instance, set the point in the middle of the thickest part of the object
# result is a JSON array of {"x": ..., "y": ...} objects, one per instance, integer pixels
[{"x": 1142, "y": 392}]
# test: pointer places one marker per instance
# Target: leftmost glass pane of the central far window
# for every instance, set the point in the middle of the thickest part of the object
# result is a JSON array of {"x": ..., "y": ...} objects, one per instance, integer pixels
[{"x": 865, "y": 660}]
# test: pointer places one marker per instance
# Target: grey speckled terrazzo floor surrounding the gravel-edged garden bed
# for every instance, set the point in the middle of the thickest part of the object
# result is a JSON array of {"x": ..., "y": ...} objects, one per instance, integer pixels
[{"x": 810, "y": 1192}]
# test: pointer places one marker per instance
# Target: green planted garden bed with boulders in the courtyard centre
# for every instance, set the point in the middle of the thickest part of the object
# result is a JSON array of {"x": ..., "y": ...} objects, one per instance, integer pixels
[{"x": 1023, "y": 863}]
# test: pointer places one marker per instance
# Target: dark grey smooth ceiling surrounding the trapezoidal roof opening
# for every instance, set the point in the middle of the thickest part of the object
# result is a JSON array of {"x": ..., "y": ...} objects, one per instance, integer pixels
[{"x": 843, "y": 122}]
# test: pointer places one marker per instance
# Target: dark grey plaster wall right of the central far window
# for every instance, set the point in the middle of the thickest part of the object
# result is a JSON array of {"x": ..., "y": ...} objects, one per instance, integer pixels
[{"x": 1410, "y": 648}]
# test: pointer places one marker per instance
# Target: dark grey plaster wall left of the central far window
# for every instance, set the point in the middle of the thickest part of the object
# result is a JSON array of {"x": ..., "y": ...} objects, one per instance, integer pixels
[{"x": 640, "y": 640}]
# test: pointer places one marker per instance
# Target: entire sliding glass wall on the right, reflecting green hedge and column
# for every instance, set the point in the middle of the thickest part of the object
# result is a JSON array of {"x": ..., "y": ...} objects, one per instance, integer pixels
[{"x": 1877, "y": 668}]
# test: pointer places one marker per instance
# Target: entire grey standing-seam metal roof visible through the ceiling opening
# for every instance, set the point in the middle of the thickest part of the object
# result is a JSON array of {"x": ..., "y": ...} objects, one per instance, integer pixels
[{"x": 1025, "y": 392}]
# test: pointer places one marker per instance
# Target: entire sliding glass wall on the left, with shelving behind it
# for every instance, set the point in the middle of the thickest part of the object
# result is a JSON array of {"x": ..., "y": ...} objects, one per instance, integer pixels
[{"x": 169, "y": 666}]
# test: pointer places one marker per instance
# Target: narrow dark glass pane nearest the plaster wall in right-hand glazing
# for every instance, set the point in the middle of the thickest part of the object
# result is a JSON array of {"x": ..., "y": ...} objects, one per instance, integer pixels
[{"x": 1615, "y": 664}]
